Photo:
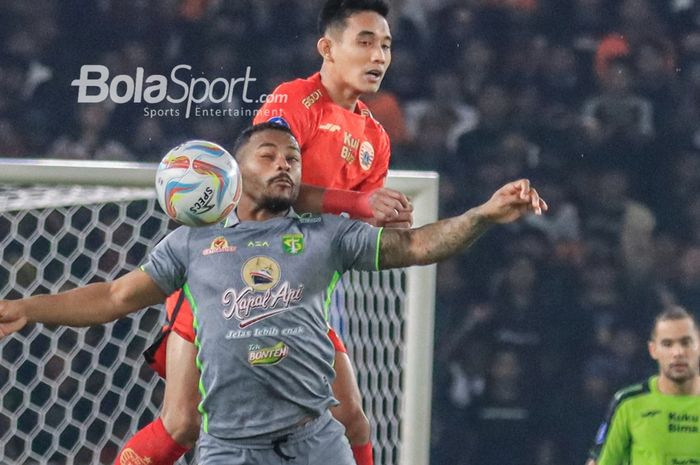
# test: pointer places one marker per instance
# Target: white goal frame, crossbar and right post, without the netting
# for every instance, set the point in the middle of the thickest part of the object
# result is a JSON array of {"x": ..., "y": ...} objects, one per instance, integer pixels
[{"x": 421, "y": 187}]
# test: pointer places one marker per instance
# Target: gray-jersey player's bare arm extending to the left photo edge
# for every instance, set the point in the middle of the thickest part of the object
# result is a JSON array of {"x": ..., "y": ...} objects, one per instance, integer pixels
[{"x": 86, "y": 306}]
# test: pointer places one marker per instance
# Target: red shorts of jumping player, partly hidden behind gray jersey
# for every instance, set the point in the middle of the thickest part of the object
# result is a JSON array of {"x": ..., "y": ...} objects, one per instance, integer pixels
[{"x": 180, "y": 320}]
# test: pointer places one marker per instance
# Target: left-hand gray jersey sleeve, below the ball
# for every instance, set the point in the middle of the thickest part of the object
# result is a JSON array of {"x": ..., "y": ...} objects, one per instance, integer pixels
[{"x": 167, "y": 263}]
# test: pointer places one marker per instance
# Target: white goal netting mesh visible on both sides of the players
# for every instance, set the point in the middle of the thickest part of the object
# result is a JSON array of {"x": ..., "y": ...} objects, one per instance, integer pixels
[{"x": 74, "y": 396}]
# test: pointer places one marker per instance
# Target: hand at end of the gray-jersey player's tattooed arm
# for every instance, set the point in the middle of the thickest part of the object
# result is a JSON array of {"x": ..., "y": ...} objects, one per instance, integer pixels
[{"x": 511, "y": 202}]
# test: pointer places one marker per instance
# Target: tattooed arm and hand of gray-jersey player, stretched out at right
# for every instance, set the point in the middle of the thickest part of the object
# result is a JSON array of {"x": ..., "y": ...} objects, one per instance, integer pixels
[{"x": 440, "y": 240}]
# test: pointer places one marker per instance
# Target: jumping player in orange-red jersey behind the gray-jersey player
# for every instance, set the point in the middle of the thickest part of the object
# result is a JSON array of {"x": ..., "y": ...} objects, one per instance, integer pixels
[{"x": 345, "y": 158}]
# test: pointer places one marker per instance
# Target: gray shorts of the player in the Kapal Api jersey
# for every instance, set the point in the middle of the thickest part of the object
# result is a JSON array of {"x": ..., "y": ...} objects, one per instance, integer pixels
[{"x": 319, "y": 442}]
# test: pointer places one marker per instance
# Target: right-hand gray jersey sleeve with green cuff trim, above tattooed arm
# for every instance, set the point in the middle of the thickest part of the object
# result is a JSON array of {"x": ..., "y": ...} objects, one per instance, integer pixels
[{"x": 357, "y": 243}]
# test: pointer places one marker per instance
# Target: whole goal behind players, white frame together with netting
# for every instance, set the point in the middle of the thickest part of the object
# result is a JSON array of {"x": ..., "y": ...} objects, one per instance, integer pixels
[{"x": 74, "y": 396}]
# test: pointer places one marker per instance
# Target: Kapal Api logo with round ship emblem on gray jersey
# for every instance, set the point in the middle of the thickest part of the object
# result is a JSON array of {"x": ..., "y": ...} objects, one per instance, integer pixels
[{"x": 261, "y": 274}]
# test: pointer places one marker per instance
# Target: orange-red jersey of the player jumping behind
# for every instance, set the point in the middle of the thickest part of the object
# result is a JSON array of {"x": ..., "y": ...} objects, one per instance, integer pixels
[{"x": 340, "y": 149}]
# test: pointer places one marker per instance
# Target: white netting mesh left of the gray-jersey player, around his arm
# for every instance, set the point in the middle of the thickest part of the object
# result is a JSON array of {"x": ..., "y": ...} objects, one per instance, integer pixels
[{"x": 71, "y": 396}]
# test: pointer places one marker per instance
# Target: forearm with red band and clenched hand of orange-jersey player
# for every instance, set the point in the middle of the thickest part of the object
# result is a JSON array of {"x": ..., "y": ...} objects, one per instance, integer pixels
[{"x": 384, "y": 207}]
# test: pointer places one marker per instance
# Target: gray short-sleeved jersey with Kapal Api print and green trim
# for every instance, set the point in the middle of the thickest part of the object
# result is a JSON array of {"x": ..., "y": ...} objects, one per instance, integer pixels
[{"x": 258, "y": 294}]
